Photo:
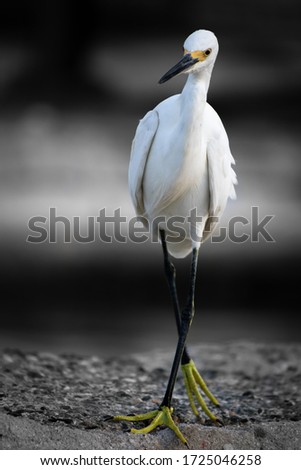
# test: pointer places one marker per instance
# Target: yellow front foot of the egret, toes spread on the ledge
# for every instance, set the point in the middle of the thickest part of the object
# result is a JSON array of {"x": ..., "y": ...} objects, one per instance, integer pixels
[{"x": 159, "y": 417}]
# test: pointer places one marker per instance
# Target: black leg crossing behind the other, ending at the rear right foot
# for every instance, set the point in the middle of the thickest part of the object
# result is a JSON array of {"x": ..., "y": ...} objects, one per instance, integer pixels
[{"x": 170, "y": 272}]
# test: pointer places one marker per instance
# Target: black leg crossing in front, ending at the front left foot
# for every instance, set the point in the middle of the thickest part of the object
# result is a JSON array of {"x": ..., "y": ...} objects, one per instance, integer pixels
[{"x": 186, "y": 319}]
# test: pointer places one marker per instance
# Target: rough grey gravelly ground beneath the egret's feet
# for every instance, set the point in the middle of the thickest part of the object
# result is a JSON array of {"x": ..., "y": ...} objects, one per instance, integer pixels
[{"x": 62, "y": 402}]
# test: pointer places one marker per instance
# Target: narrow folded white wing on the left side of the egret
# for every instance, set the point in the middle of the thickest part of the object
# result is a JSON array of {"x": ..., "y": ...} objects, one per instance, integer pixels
[{"x": 141, "y": 146}]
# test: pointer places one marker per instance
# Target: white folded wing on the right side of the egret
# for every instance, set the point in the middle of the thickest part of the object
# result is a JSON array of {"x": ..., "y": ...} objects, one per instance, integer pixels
[{"x": 222, "y": 177}]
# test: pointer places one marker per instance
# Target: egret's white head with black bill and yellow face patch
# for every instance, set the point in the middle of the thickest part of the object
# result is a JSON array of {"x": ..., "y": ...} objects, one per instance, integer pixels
[{"x": 200, "y": 51}]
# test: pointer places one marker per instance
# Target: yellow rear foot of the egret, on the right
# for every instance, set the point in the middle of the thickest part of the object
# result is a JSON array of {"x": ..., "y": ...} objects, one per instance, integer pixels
[{"x": 193, "y": 380}]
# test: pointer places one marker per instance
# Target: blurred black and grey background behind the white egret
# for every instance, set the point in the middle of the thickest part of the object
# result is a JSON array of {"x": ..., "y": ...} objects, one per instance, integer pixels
[{"x": 75, "y": 78}]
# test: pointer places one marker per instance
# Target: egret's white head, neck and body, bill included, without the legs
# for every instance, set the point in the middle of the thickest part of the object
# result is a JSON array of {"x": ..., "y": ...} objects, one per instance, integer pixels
[{"x": 180, "y": 158}]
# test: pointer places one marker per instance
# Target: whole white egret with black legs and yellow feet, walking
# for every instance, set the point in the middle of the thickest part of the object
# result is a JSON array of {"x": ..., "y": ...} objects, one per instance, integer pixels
[{"x": 181, "y": 161}]
